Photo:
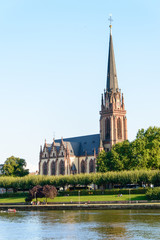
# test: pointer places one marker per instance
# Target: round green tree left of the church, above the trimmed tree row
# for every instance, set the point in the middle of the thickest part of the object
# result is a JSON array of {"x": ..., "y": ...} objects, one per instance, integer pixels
[{"x": 15, "y": 167}]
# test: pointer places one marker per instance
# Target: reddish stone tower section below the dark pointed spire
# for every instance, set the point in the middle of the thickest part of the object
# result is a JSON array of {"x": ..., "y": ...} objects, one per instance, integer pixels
[{"x": 113, "y": 121}]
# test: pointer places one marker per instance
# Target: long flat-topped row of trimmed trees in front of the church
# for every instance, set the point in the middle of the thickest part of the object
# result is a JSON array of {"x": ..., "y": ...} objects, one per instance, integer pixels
[{"x": 123, "y": 178}]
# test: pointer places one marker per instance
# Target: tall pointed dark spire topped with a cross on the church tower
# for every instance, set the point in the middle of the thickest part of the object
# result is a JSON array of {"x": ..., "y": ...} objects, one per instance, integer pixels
[{"x": 112, "y": 82}]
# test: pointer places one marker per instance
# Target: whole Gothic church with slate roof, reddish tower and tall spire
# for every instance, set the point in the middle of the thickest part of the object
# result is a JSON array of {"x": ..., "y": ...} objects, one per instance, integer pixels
[{"x": 78, "y": 154}]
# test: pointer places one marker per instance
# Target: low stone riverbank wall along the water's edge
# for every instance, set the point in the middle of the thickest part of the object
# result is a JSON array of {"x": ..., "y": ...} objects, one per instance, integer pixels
[{"x": 91, "y": 206}]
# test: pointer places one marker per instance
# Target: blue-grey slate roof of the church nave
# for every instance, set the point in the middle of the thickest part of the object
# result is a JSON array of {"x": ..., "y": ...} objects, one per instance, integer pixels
[{"x": 79, "y": 146}]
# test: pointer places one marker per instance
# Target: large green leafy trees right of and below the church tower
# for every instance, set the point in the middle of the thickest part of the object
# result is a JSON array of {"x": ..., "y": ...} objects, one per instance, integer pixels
[{"x": 142, "y": 153}]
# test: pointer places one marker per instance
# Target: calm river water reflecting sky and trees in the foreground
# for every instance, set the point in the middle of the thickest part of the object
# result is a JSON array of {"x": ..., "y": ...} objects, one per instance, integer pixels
[{"x": 85, "y": 225}]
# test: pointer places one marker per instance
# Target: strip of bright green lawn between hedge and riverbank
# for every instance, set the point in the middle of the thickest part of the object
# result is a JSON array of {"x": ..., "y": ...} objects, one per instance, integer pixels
[{"x": 133, "y": 197}]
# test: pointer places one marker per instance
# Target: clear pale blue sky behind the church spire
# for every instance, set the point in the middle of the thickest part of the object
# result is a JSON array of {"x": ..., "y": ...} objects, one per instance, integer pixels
[{"x": 53, "y": 67}]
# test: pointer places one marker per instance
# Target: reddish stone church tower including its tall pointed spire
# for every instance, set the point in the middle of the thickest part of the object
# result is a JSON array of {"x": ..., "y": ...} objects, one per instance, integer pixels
[{"x": 113, "y": 121}]
